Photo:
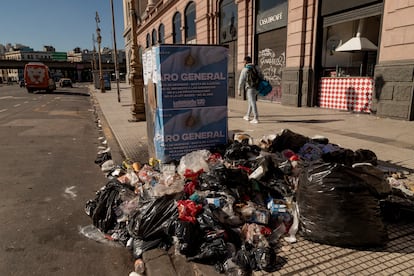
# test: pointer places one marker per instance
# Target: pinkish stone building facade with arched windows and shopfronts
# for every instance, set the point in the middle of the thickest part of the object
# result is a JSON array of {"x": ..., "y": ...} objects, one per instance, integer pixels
[{"x": 295, "y": 43}]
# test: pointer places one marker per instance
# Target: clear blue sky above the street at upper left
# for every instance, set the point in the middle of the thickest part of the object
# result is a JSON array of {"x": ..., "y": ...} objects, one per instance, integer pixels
[{"x": 63, "y": 24}]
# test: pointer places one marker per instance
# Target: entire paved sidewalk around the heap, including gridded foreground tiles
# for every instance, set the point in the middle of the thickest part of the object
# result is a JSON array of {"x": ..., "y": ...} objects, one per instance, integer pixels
[{"x": 392, "y": 141}]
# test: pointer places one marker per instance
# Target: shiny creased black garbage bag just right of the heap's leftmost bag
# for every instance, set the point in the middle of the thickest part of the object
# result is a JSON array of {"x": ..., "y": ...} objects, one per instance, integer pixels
[{"x": 153, "y": 218}]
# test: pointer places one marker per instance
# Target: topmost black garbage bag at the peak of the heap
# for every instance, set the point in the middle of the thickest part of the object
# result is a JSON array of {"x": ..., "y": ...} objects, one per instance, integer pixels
[{"x": 288, "y": 139}]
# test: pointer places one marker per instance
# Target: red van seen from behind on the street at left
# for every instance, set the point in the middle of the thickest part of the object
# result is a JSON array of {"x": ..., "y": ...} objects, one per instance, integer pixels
[{"x": 37, "y": 77}]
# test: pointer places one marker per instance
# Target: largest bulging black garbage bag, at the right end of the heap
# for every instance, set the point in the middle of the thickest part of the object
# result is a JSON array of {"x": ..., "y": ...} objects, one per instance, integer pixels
[{"x": 340, "y": 207}]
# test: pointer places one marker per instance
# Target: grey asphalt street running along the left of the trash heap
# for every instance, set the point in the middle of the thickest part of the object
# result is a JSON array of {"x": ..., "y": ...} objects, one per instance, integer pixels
[{"x": 48, "y": 146}]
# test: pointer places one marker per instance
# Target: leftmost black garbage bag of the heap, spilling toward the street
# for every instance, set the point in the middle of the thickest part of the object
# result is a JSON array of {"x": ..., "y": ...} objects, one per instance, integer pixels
[{"x": 103, "y": 209}]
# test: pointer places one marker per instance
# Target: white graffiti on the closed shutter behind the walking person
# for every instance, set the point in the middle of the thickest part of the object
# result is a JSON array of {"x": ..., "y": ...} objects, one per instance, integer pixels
[{"x": 272, "y": 65}]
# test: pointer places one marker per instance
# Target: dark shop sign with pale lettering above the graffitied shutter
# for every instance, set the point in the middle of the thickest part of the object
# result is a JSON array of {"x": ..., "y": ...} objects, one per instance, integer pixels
[{"x": 271, "y": 19}]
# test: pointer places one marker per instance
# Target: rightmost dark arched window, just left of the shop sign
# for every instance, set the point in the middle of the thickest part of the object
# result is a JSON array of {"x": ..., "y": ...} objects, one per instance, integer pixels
[{"x": 228, "y": 21}]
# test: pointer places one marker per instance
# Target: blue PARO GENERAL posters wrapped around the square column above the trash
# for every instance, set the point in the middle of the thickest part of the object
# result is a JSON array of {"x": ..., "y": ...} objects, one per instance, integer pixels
[{"x": 190, "y": 99}]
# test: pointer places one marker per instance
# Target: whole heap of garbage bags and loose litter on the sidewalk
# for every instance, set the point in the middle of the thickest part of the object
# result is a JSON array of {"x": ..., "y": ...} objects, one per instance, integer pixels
[{"x": 231, "y": 207}]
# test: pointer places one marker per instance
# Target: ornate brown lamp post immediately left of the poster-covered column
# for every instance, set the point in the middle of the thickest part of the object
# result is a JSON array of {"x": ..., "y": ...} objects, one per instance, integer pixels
[{"x": 136, "y": 78}]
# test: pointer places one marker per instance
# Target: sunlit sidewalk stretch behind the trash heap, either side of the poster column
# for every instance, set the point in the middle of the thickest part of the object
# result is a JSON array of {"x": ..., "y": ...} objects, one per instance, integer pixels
[{"x": 392, "y": 140}]
